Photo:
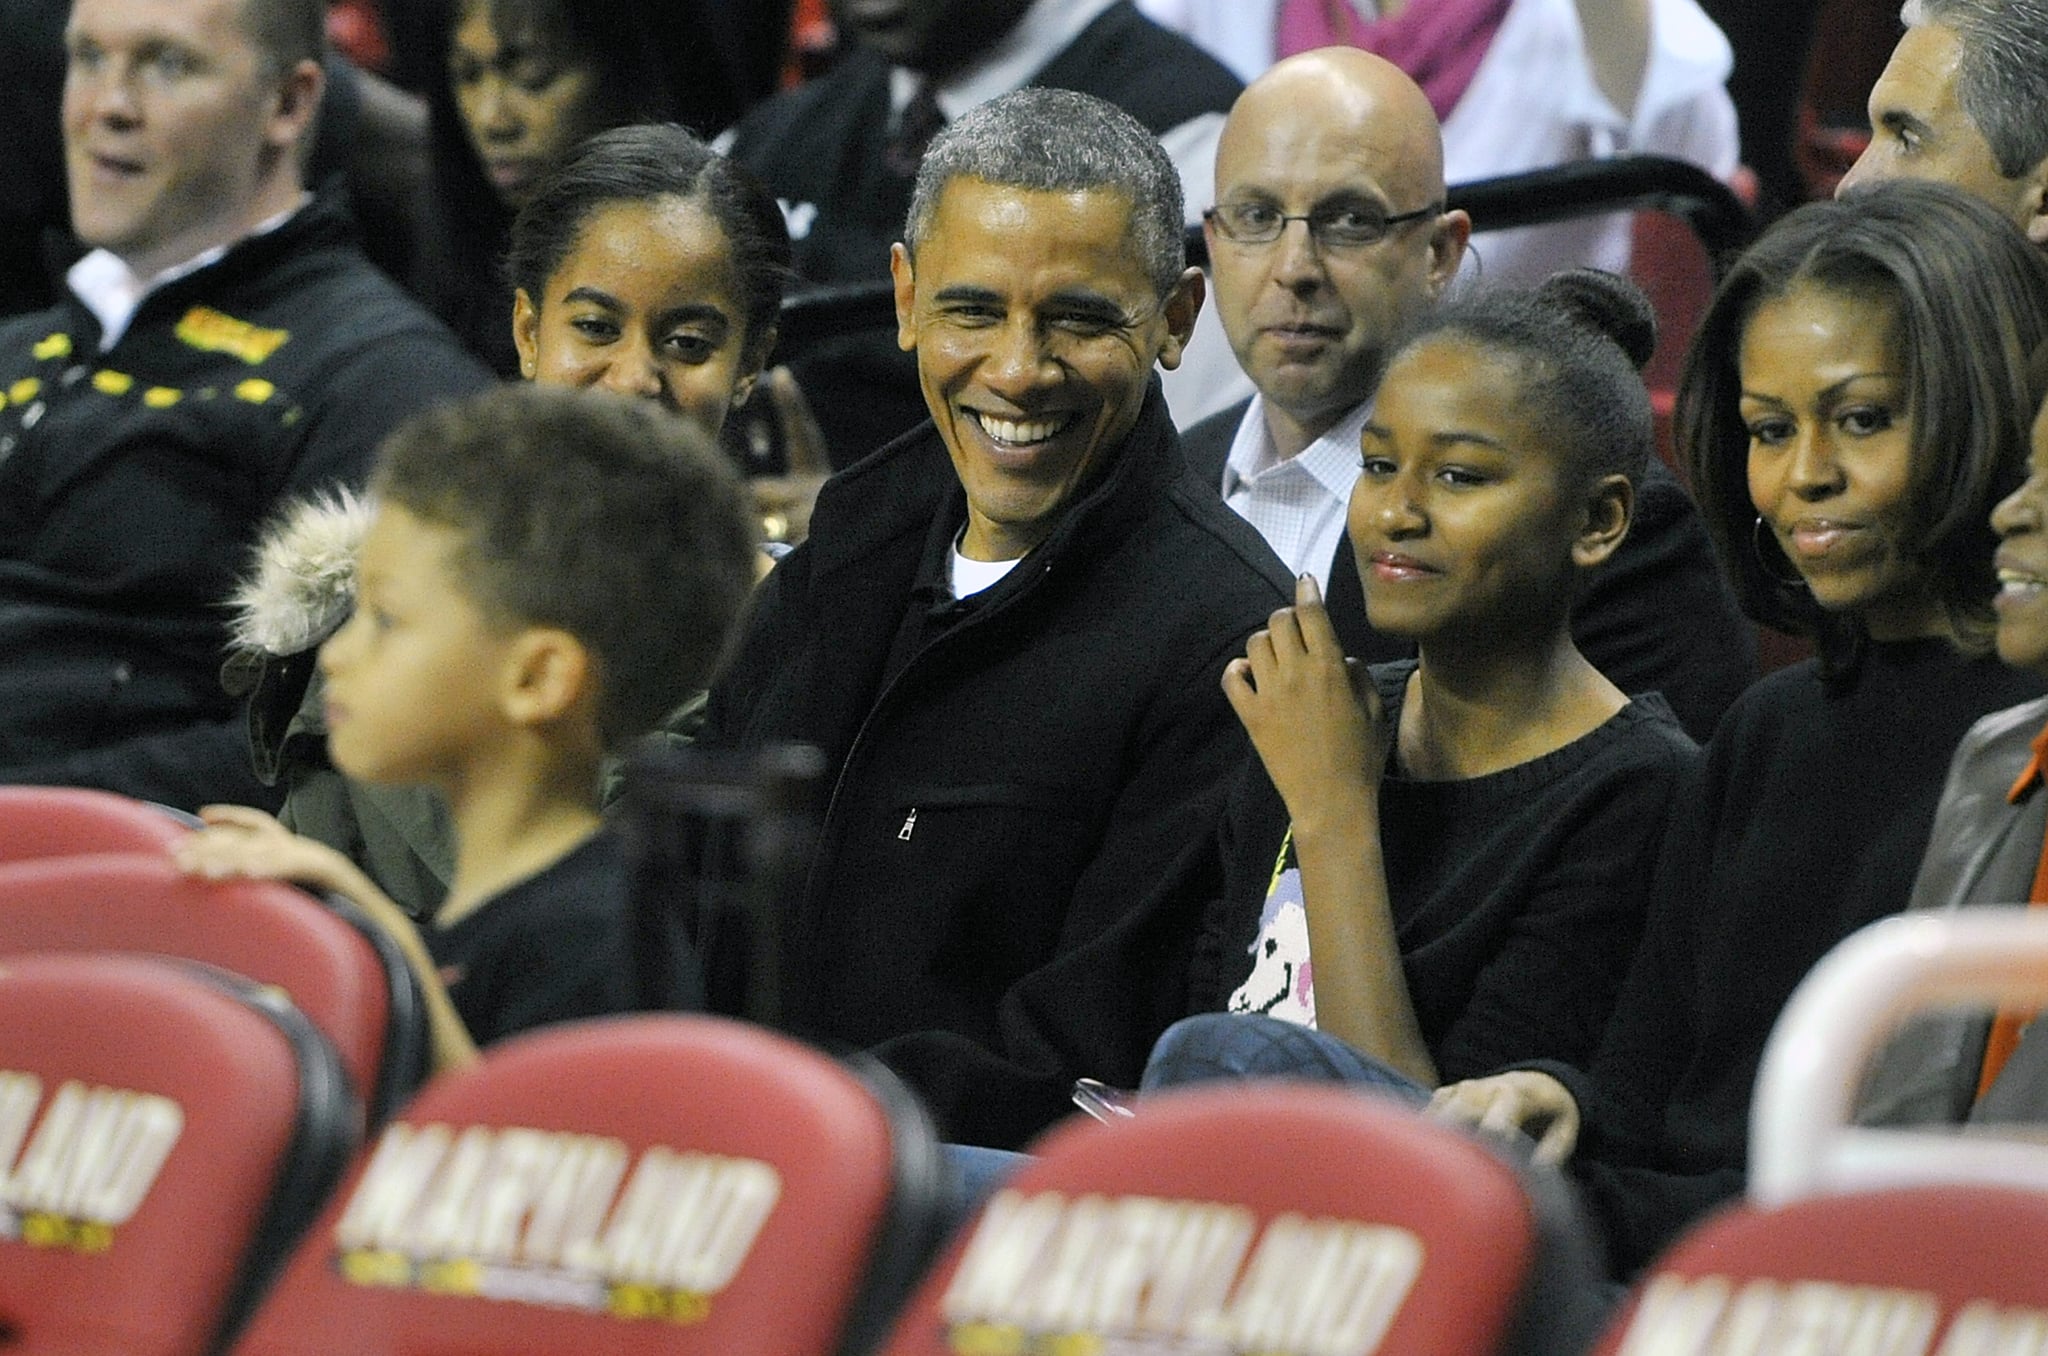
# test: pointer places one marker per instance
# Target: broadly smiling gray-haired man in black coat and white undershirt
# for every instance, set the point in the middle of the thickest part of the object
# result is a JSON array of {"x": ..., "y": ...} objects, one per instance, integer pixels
[{"x": 1007, "y": 632}]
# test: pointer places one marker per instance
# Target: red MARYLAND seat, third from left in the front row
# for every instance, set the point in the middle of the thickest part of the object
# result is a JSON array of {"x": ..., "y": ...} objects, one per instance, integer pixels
[{"x": 1254, "y": 1218}]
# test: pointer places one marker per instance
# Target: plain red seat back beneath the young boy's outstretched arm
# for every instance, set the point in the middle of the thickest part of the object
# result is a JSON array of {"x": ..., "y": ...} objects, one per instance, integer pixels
[{"x": 343, "y": 974}]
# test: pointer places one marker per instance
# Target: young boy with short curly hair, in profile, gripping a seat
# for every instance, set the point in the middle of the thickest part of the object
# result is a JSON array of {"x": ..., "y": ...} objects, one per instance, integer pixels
[{"x": 546, "y": 577}]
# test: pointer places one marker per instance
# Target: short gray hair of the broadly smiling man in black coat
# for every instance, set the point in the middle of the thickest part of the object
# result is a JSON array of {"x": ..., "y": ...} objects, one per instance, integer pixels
[{"x": 1060, "y": 142}]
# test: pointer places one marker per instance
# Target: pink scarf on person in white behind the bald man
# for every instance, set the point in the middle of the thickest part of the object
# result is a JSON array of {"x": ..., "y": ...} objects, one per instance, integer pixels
[{"x": 1437, "y": 42}]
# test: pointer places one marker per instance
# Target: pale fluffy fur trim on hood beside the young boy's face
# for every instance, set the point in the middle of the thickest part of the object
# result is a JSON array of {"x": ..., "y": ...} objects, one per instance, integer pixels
[{"x": 304, "y": 577}]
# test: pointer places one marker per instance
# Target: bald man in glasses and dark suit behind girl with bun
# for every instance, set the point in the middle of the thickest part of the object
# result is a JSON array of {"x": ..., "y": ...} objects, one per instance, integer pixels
[{"x": 1347, "y": 146}]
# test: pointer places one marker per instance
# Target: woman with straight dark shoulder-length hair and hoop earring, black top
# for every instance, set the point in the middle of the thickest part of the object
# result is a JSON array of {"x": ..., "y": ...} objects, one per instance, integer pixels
[{"x": 1854, "y": 405}]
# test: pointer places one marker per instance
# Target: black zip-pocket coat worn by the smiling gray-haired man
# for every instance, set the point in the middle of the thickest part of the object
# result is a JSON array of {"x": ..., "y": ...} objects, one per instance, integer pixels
[{"x": 1002, "y": 806}]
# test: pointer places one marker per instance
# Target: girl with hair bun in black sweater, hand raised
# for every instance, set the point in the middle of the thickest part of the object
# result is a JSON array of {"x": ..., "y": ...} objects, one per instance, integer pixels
[{"x": 1457, "y": 841}]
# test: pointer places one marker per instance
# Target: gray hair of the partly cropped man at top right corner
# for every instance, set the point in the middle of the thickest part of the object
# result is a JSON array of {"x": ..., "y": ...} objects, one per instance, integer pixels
[{"x": 2002, "y": 73}]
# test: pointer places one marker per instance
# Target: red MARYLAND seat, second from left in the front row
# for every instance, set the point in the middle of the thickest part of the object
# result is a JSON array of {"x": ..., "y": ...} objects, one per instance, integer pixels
[{"x": 628, "y": 1187}]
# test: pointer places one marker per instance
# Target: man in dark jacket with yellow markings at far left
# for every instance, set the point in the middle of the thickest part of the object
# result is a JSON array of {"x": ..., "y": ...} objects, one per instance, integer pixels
[{"x": 220, "y": 349}]
